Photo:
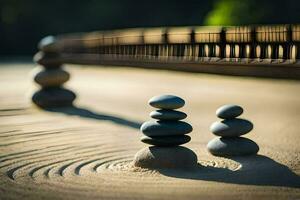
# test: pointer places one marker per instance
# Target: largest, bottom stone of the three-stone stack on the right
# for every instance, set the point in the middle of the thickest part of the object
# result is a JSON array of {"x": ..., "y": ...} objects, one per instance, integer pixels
[{"x": 238, "y": 146}]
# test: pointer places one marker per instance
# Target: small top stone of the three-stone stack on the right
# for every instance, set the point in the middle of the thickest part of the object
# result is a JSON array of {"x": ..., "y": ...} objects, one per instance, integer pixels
[{"x": 229, "y": 111}]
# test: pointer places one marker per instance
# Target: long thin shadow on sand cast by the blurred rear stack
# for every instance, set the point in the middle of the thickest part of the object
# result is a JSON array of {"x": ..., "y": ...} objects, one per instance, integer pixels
[{"x": 82, "y": 112}]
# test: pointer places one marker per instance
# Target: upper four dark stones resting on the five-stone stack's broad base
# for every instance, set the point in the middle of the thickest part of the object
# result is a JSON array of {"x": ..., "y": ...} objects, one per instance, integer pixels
[{"x": 167, "y": 130}]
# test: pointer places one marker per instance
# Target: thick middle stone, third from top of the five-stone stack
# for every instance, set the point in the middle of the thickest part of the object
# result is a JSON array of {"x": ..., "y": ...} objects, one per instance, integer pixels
[{"x": 165, "y": 128}]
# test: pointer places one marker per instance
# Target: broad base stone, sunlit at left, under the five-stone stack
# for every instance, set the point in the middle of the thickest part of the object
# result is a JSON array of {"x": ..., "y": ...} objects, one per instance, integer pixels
[{"x": 165, "y": 158}]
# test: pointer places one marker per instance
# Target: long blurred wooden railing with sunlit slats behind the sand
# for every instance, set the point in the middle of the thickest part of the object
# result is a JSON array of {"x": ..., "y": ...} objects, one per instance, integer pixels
[{"x": 276, "y": 43}]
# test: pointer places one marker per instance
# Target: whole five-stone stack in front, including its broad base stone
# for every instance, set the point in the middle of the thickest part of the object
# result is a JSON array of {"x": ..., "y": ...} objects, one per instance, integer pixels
[{"x": 166, "y": 133}]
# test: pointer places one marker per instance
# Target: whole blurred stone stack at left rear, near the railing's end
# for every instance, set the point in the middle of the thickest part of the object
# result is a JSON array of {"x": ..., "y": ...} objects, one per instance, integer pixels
[{"x": 51, "y": 77}]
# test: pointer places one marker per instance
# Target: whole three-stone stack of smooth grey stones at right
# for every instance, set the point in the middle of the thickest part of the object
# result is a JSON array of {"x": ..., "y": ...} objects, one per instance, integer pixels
[{"x": 230, "y": 129}]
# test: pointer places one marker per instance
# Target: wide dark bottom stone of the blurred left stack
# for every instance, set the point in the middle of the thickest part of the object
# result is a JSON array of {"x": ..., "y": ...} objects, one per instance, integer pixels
[{"x": 53, "y": 97}]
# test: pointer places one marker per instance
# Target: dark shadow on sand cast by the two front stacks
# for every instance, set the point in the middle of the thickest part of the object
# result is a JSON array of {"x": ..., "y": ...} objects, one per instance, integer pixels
[{"x": 256, "y": 170}]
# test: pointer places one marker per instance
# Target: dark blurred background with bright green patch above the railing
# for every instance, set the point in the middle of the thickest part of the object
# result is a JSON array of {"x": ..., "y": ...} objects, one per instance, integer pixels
[{"x": 24, "y": 22}]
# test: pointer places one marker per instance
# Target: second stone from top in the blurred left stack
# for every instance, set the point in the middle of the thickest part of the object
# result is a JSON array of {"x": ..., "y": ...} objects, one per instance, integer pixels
[{"x": 48, "y": 59}]
